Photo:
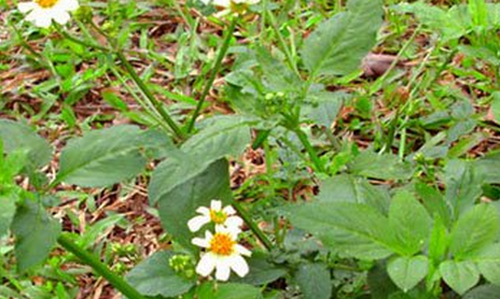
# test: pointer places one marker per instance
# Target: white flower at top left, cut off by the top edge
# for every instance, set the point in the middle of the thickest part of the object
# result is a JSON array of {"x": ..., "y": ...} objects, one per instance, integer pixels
[{"x": 42, "y": 12}]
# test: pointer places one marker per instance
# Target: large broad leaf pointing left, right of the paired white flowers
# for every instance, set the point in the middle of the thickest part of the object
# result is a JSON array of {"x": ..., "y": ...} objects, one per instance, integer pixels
[{"x": 351, "y": 230}]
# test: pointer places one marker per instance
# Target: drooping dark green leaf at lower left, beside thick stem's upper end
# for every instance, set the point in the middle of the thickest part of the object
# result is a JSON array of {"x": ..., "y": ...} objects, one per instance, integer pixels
[{"x": 36, "y": 234}]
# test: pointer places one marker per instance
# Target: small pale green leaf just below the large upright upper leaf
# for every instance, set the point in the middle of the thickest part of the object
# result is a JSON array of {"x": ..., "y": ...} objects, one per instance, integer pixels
[{"x": 323, "y": 107}]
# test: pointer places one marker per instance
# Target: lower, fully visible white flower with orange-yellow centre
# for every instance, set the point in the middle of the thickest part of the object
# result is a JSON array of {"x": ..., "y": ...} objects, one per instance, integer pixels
[{"x": 223, "y": 254}]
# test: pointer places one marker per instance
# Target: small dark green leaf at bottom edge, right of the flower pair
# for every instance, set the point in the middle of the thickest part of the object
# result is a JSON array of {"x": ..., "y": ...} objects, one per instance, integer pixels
[{"x": 314, "y": 281}]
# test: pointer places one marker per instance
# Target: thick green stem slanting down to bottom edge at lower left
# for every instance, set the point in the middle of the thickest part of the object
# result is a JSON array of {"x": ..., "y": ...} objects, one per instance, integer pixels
[{"x": 116, "y": 281}]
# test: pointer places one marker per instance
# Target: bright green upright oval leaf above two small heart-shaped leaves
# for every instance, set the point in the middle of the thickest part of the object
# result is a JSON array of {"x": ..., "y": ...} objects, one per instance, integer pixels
[{"x": 410, "y": 222}]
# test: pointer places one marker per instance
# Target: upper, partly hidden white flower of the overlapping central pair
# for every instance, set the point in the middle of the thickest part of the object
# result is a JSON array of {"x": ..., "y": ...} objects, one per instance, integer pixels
[{"x": 216, "y": 214}]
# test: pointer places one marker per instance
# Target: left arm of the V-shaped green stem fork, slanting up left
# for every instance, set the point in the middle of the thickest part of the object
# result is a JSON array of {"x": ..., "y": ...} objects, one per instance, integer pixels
[{"x": 149, "y": 95}]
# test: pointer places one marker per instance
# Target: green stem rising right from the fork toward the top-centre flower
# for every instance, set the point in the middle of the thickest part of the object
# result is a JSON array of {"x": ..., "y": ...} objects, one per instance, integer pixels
[{"x": 215, "y": 70}]
